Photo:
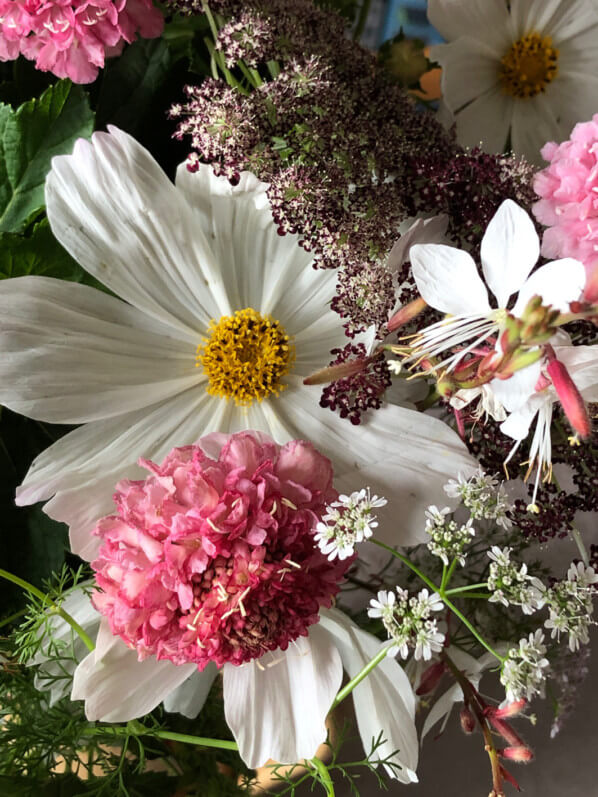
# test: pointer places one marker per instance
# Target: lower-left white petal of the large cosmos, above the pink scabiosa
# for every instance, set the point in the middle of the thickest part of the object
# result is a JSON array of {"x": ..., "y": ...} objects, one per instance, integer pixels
[{"x": 83, "y": 467}]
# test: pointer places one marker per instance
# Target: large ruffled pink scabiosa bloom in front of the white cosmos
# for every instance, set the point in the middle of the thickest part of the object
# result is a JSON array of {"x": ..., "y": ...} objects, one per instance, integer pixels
[{"x": 213, "y": 559}]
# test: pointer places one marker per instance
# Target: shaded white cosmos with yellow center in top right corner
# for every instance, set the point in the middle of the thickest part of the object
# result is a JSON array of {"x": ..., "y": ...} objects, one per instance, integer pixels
[{"x": 517, "y": 74}]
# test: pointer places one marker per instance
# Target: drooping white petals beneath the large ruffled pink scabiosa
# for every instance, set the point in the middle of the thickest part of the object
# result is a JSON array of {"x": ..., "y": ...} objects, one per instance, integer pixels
[{"x": 276, "y": 705}]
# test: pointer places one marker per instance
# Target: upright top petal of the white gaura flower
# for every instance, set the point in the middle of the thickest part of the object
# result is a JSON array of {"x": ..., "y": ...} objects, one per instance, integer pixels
[{"x": 510, "y": 249}]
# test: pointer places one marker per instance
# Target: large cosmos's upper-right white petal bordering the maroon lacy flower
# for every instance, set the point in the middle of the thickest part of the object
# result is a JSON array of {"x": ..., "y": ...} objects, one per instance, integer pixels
[{"x": 257, "y": 265}]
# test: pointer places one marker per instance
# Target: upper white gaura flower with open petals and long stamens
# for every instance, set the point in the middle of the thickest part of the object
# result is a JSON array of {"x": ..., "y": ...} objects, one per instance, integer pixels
[{"x": 448, "y": 280}]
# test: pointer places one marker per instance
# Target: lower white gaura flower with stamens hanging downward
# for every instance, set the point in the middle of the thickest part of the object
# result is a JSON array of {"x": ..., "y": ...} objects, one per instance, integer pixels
[{"x": 582, "y": 364}]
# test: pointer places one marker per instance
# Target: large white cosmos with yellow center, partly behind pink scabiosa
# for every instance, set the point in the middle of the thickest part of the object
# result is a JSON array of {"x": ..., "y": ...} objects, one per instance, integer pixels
[{"x": 217, "y": 307}]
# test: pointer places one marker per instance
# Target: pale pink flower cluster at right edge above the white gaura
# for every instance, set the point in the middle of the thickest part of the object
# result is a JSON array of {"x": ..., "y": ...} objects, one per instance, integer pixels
[{"x": 568, "y": 188}]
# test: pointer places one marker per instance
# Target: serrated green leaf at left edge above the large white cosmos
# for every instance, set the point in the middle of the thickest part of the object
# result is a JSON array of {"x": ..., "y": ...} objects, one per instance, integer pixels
[{"x": 29, "y": 138}]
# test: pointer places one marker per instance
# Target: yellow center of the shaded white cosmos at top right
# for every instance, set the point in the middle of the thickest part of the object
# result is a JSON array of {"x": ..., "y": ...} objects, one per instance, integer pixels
[{"x": 529, "y": 66}]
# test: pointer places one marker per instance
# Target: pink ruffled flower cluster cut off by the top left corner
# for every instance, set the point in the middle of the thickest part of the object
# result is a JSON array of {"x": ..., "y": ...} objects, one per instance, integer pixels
[{"x": 72, "y": 39}]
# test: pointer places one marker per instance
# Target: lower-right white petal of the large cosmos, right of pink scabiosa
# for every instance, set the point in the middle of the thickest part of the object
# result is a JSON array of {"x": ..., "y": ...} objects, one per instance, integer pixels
[{"x": 403, "y": 455}]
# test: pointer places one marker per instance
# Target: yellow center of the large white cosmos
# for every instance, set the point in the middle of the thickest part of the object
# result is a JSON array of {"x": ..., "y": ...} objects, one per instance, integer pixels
[{"x": 245, "y": 356}]
